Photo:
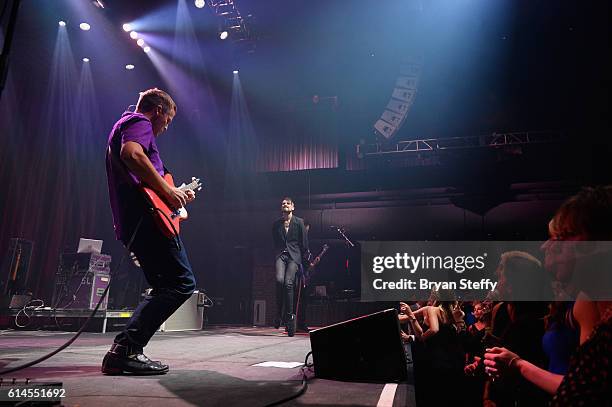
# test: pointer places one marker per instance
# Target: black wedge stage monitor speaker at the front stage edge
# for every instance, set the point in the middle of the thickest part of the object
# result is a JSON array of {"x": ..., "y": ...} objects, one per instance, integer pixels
[{"x": 367, "y": 349}]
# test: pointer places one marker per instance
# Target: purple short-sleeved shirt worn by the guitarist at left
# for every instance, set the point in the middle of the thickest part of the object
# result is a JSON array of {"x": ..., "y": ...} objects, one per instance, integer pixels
[{"x": 127, "y": 203}]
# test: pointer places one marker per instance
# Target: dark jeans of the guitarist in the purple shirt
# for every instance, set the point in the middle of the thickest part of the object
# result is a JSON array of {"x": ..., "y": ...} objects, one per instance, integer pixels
[{"x": 167, "y": 270}]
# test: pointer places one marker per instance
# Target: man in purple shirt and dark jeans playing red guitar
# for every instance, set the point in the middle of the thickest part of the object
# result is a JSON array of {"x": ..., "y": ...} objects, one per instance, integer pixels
[{"x": 132, "y": 159}]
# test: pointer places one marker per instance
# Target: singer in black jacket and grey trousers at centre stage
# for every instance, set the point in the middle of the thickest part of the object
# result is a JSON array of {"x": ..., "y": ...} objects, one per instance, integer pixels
[{"x": 291, "y": 241}]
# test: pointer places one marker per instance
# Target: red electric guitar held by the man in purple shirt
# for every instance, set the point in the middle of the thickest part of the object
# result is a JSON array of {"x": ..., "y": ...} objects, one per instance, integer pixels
[{"x": 167, "y": 219}]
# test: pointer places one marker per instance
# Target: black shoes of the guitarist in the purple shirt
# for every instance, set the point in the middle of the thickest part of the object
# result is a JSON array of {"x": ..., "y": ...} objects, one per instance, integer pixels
[{"x": 118, "y": 360}]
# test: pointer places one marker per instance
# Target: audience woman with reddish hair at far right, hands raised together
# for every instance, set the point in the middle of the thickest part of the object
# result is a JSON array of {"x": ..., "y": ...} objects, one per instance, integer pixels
[{"x": 585, "y": 216}]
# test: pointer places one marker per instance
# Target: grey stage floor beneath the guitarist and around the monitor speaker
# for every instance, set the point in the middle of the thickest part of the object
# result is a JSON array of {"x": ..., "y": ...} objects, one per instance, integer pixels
[{"x": 213, "y": 367}]
